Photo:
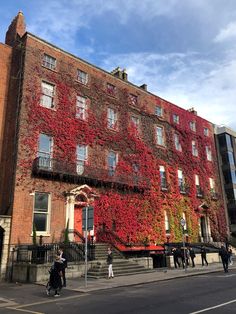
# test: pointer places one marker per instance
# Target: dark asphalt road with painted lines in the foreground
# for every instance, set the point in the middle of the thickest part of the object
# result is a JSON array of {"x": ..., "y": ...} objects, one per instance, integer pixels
[{"x": 208, "y": 293}]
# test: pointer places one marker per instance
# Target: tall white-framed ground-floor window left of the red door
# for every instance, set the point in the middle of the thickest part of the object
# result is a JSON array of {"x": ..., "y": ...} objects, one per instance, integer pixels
[{"x": 41, "y": 211}]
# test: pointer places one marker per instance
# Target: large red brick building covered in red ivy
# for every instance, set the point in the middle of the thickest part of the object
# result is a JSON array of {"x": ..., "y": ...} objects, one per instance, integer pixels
[{"x": 74, "y": 135}]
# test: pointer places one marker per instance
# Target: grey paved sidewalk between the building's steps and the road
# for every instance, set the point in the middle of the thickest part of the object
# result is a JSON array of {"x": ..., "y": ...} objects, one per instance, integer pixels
[{"x": 78, "y": 284}]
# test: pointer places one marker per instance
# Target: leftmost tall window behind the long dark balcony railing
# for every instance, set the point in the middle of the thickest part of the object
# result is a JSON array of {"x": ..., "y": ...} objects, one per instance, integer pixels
[{"x": 45, "y": 147}]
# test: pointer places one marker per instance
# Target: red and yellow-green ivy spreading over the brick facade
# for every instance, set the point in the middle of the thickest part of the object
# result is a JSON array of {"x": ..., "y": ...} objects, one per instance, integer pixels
[{"x": 134, "y": 216}]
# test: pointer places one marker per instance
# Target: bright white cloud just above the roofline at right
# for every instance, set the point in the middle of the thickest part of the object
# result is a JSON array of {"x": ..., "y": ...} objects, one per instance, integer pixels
[{"x": 187, "y": 80}]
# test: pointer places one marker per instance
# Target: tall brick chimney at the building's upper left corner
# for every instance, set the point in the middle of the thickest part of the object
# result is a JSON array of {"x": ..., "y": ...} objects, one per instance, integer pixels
[{"x": 17, "y": 28}]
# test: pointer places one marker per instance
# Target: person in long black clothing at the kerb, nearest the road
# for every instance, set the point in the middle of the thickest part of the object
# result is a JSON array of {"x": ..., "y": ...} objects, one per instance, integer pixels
[{"x": 54, "y": 282}]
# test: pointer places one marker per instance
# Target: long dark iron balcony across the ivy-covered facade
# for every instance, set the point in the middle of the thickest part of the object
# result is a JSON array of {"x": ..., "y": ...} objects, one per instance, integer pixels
[{"x": 75, "y": 173}]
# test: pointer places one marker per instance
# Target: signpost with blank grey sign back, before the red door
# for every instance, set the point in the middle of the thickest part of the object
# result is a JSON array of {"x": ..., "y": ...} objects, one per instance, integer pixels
[{"x": 87, "y": 224}]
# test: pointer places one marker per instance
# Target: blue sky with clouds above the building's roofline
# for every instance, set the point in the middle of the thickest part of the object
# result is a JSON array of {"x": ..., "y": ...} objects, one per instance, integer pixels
[{"x": 184, "y": 50}]
